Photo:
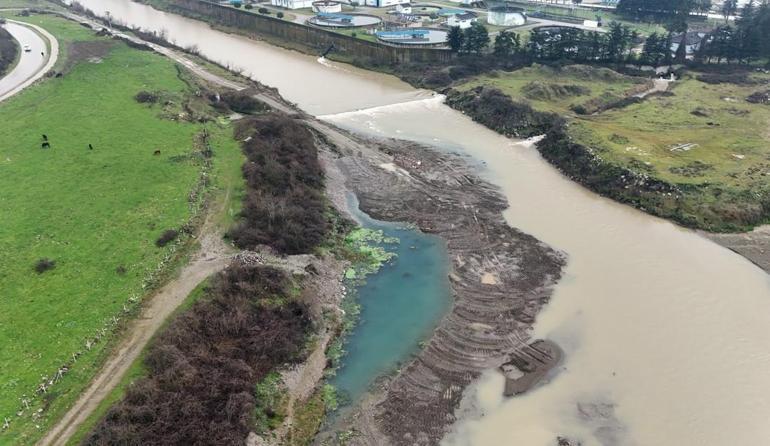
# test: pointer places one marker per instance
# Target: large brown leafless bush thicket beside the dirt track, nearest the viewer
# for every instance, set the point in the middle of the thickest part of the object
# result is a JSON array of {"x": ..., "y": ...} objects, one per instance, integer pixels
[{"x": 203, "y": 368}]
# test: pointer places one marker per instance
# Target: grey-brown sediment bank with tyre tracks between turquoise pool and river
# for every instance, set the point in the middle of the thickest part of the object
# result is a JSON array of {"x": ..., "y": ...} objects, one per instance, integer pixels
[{"x": 489, "y": 321}]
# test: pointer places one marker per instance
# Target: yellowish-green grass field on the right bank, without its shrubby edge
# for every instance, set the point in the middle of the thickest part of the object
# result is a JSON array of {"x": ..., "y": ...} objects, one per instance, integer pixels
[{"x": 732, "y": 136}]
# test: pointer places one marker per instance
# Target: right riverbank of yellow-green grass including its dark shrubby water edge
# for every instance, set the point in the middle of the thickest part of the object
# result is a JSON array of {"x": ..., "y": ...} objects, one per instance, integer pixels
[{"x": 697, "y": 154}]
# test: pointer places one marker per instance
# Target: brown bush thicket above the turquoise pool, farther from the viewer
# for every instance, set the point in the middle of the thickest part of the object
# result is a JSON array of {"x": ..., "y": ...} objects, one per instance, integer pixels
[{"x": 284, "y": 207}]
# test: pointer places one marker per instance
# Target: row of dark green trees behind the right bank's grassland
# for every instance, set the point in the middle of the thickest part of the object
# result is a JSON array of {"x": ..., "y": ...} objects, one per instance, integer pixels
[{"x": 745, "y": 41}]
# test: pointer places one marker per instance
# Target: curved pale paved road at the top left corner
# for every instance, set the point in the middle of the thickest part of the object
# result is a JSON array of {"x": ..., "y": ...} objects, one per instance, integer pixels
[{"x": 33, "y": 64}]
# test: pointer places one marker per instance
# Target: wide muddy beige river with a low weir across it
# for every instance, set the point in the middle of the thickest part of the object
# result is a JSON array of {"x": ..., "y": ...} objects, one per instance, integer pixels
[{"x": 665, "y": 333}]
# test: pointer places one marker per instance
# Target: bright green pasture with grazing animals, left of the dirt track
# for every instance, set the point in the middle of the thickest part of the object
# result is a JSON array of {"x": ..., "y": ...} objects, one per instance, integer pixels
[{"x": 96, "y": 213}]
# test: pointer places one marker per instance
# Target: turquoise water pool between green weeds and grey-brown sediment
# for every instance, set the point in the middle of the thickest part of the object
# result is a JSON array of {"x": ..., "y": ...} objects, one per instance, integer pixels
[{"x": 401, "y": 304}]
